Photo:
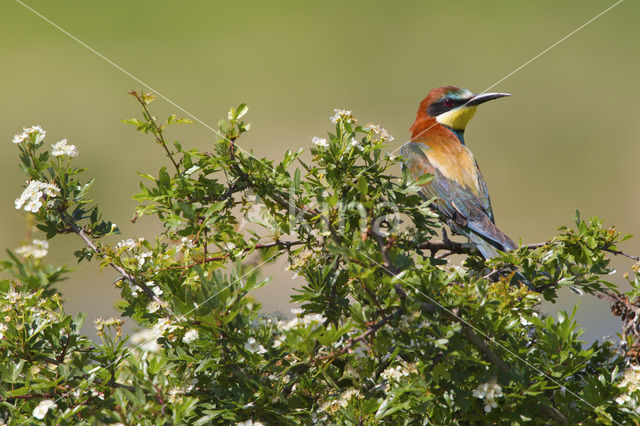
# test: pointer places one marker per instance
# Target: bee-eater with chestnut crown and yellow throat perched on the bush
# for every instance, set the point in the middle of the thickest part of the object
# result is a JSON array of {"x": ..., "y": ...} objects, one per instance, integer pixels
[{"x": 437, "y": 147}]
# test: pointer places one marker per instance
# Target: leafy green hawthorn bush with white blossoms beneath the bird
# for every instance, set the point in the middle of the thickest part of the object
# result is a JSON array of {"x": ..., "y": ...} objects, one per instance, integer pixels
[{"x": 389, "y": 329}]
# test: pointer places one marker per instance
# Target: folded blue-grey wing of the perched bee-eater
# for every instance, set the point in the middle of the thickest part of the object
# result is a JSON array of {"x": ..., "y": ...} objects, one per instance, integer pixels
[{"x": 468, "y": 208}]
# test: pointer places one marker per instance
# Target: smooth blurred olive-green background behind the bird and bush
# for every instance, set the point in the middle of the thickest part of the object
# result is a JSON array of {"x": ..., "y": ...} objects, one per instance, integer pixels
[{"x": 566, "y": 140}]
